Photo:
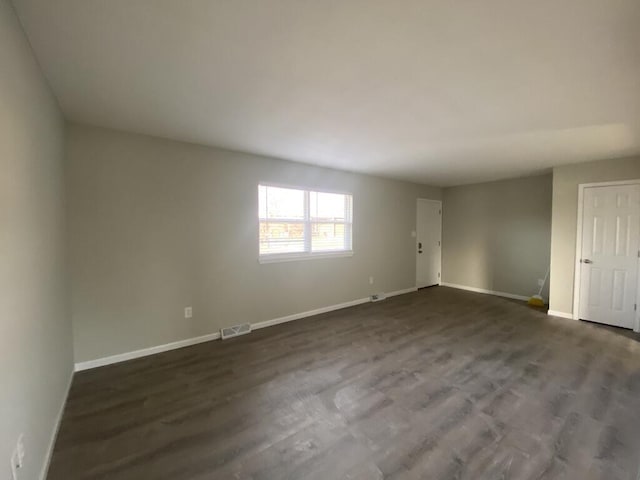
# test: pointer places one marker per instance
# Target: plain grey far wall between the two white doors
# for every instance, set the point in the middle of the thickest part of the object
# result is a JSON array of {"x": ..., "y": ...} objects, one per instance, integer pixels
[{"x": 496, "y": 235}]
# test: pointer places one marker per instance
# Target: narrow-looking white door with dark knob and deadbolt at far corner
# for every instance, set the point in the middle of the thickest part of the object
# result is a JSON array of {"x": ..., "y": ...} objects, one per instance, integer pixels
[{"x": 428, "y": 243}]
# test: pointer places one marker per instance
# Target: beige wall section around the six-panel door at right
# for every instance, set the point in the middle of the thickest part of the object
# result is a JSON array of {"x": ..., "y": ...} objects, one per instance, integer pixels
[{"x": 565, "y": 219}]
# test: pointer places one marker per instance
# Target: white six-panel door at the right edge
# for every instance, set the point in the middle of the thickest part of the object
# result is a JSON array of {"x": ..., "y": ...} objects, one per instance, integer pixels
[{"x": 609, "y": 257}]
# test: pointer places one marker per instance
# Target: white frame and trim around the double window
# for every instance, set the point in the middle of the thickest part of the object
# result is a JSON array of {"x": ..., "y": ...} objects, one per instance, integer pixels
[{"x": 307, "y": 254}]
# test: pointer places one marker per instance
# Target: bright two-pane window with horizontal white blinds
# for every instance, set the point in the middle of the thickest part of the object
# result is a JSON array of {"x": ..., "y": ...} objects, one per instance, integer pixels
[{"x": 298, "y": 223}]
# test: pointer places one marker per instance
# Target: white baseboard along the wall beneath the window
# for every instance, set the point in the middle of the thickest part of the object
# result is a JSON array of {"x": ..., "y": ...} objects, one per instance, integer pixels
[{"x": 122, "y": 357}]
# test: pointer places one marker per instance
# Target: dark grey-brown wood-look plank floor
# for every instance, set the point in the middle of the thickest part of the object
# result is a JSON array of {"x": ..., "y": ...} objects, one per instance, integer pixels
[{"x": 438, "y": 384}]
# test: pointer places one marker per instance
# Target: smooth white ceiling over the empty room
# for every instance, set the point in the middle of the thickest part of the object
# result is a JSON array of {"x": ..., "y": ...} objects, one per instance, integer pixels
[{"x": 437, "y": 92}]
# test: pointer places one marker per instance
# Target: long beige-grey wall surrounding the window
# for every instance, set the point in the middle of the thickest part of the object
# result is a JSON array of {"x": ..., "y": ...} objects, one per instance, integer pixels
[{"x": 157, "y": 225}]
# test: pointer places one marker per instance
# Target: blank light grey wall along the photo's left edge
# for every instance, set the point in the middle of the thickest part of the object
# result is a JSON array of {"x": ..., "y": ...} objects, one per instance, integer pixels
[{"x": 35, "y": 336}]
